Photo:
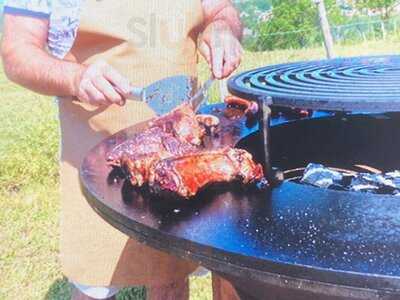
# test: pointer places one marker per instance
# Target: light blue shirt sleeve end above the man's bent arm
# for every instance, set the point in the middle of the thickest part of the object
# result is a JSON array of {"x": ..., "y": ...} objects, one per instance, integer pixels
[{"x": 33, "y": 8}]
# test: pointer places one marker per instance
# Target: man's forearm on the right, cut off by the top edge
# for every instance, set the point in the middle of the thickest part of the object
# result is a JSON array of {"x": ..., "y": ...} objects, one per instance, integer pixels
[{"x": 223, "y": 11}]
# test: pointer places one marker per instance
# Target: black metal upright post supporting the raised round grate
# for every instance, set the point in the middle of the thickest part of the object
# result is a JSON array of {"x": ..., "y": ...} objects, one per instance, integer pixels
[{"x": 274, "y": 177}]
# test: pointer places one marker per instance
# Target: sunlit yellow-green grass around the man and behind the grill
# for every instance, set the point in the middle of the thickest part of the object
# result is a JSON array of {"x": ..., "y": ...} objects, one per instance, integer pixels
[{"x": 29, "y": 267}]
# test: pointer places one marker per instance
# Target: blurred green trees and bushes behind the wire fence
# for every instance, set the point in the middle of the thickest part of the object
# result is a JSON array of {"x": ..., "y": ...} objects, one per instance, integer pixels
[{"x": 294, "y": 24}]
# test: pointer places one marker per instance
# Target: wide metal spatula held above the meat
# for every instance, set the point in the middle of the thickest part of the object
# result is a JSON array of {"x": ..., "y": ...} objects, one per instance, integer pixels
[{"x": 166, "y": 94}]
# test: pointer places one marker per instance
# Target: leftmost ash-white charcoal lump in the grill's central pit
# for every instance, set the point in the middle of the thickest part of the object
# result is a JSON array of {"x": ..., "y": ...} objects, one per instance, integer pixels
[{"x": 320, "y": 176}]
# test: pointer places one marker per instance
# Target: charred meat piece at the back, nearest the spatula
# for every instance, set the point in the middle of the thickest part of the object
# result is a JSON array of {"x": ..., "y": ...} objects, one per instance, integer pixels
[{"x": 174, "y": 134}]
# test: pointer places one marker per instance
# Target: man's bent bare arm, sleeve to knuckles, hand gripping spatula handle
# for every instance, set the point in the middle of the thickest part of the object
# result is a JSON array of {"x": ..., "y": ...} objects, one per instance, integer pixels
[{"x": 27, "y": 62}]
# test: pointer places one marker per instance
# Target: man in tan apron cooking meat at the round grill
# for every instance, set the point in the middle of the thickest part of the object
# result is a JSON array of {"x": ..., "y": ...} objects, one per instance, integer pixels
[{"x": 89, "y": 53}]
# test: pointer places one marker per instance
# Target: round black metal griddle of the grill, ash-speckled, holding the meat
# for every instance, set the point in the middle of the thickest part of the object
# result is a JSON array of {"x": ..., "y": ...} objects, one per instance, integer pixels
[{"x": 322, "y": 241}]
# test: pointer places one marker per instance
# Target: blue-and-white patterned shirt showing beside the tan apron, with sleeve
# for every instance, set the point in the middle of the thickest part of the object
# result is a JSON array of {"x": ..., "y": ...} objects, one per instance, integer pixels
[{"x": 63, "y": 18}]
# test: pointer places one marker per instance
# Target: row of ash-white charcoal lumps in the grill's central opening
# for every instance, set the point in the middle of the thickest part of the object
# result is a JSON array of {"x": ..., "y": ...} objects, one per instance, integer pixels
[{"x": 324, "y": 177}]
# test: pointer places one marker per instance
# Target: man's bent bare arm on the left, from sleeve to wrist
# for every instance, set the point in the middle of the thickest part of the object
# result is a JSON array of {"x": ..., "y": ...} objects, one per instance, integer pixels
[{"x": 27, "y": 62}]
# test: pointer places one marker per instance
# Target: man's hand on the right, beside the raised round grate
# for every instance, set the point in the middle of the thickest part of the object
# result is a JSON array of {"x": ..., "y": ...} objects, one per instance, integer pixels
[{"x": 221, "y": 49}]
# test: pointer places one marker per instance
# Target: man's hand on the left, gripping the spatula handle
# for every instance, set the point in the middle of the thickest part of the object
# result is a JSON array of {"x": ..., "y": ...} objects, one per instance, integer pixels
[{"x": 100, "y": 84}]
